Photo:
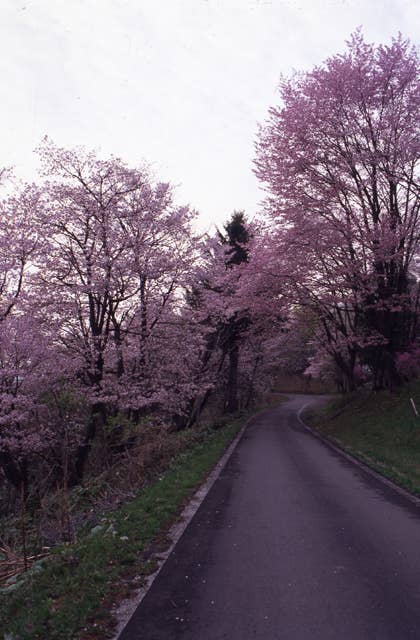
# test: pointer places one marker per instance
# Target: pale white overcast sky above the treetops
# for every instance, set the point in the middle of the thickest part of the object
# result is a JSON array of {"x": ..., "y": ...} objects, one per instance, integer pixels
[{"x": 179, "y": 83}]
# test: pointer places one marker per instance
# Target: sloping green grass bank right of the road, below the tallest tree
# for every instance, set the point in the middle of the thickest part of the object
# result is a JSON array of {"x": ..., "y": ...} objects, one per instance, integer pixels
[{"x": 380, "y": 429}]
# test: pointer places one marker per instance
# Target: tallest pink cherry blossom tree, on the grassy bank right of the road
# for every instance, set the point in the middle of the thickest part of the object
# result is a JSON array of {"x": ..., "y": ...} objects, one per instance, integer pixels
[{"x": 340, "y": 161}]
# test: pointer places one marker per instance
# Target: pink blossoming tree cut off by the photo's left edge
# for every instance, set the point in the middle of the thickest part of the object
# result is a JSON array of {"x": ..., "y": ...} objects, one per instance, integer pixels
[{"x": 23, "y": 361}]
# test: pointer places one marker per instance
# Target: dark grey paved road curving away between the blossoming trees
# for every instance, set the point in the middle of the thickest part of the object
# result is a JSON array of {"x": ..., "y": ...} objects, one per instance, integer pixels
[{"x": 293, "y": 542}]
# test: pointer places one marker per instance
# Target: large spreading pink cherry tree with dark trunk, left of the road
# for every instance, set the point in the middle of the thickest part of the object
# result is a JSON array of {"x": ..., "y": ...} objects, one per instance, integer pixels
[{"x": 118, "y": 251}]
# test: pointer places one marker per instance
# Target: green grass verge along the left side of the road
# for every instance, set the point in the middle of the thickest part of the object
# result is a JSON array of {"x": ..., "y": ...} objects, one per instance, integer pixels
[{"x": 69, "y": 598}]
